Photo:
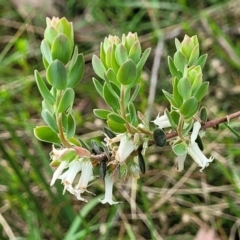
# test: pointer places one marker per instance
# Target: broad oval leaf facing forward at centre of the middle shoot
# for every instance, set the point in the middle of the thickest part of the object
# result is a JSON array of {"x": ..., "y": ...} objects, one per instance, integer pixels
[{"x": 127, "y": 72}]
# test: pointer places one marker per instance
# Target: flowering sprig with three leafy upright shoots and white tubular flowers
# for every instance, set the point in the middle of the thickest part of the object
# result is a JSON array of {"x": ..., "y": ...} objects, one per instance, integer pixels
[{"x": 128, "y": 135}]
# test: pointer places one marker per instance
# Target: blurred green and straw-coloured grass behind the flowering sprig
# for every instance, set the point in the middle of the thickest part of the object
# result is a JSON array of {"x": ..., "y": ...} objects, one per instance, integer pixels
[{"x": 163, "y": 204}]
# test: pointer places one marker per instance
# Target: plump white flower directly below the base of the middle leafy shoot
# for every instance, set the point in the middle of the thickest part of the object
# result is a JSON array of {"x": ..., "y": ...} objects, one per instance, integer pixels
[{"x": 126, "y": 147}]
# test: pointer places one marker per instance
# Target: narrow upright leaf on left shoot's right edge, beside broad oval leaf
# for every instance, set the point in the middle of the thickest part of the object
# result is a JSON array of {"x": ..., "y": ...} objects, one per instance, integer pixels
[{"x": 76, "y": 73}]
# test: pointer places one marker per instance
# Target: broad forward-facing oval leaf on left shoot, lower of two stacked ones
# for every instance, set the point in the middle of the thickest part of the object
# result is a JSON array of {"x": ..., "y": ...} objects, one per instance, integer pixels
[{"x": 57, "y": 75}]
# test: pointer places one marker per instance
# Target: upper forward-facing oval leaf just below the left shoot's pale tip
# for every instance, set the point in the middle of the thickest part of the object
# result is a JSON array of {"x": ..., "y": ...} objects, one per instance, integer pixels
[{"x": 61, "y": 48}]
